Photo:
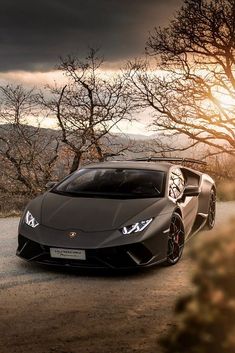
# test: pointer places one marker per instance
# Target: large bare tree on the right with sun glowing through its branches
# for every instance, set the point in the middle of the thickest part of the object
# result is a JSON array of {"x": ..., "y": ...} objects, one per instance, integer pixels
[{"x": 192, "y": 90}]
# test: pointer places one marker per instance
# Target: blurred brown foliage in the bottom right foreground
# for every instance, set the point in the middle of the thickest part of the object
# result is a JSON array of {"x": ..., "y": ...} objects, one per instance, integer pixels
[{"x": 207, "y": 315}]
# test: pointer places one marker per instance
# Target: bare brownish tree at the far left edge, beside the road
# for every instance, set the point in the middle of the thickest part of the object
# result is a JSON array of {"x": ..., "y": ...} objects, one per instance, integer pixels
[{"x": 27, "y": 154}]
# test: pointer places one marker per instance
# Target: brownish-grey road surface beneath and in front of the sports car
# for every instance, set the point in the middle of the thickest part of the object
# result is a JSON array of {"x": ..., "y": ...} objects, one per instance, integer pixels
[{"x": 61, "y": 311}]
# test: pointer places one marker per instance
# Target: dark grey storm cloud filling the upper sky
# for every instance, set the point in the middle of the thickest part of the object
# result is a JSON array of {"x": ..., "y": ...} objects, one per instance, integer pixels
[{"x": 33, "y": 34}]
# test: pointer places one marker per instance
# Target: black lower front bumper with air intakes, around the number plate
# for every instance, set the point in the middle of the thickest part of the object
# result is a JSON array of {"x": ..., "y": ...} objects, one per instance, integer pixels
[{"x": 118, "y": 257}]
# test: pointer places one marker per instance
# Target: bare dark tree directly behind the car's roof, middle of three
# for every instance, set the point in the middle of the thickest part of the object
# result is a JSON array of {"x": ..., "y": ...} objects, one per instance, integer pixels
[{"x": 88, "y": 106}]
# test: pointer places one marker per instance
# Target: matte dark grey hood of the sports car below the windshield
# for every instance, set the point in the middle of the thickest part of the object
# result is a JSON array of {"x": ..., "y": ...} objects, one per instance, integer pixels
[{"x": 93, "y": 214}]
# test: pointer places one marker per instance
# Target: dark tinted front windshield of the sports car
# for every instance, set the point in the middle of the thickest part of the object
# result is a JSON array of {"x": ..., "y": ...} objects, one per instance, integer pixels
[{"x": 113, "y": 183}]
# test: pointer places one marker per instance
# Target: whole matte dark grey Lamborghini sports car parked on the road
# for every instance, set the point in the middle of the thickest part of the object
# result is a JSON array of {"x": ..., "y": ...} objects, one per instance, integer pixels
[{"x": 119, "y": 214}]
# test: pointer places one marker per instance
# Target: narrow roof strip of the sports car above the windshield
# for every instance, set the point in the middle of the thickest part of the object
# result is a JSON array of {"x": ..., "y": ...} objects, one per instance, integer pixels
[{"x": 160, "y": 166}]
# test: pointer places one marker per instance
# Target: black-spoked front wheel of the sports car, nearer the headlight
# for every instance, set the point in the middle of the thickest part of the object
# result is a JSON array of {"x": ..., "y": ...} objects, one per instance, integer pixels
[{"x": 175, "y": 240}]
